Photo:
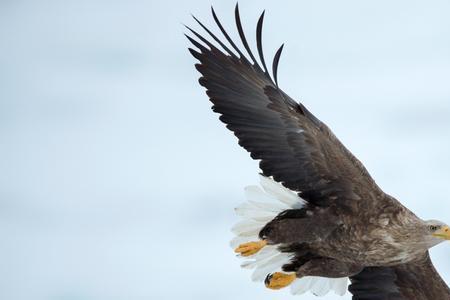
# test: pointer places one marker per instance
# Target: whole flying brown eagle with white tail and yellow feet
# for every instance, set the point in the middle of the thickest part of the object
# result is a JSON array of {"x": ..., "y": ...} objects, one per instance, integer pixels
[{"x": 319, "y": 217}]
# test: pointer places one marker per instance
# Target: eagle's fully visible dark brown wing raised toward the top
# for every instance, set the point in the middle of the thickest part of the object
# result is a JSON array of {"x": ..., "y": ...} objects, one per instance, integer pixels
[{"x": 294, "y": 147}]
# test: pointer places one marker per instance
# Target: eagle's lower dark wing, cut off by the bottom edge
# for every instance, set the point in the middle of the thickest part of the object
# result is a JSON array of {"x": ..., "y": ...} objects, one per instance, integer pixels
[{"x": 412, "y": 281}]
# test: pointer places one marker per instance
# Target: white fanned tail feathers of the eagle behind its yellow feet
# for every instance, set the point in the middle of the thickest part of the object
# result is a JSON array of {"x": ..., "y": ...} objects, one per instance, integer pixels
[{"x": 262, "y": 206}]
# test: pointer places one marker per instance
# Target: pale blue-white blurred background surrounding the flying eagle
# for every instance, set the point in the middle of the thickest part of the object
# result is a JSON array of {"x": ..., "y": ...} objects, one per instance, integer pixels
[{"x": 118, "y": 182}]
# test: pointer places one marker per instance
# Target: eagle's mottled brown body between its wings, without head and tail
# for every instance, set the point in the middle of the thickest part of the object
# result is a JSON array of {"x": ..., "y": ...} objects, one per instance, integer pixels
[{"x": 362, "y": 240}]
